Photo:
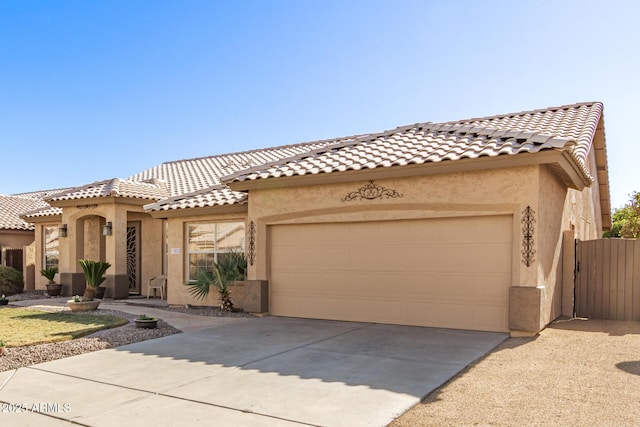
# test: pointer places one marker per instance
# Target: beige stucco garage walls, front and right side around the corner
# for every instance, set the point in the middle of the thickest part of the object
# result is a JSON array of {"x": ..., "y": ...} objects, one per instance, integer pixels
[{"x": 501, "y": 191}]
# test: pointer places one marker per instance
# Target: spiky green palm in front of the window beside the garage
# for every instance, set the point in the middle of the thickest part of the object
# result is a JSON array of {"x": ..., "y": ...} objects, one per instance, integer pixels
[{"x": 231, "y": 268}]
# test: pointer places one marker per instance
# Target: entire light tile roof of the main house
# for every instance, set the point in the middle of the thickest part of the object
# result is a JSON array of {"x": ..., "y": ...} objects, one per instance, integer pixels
[{"x": 201, "y": 182}]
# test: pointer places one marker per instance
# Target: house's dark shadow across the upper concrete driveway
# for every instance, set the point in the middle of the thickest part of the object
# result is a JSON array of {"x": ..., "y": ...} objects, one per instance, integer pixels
[{"x": 402, "y": 359}]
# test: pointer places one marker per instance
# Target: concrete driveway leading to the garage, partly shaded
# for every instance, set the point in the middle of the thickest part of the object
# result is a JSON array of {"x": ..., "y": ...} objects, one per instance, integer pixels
[{"x": 268, "y": 371}]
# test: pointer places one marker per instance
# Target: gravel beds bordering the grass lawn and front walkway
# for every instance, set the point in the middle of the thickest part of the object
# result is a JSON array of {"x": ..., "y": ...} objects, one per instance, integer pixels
[{"x": 29, "y": 355}]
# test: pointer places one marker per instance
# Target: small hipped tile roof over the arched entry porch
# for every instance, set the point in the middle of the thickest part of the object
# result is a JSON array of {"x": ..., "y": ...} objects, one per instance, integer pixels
[{"x": 152, "y": 190}]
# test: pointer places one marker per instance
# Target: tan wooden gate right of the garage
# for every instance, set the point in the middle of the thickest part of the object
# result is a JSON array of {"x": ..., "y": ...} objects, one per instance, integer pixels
[{"x": 607, "y": 283}]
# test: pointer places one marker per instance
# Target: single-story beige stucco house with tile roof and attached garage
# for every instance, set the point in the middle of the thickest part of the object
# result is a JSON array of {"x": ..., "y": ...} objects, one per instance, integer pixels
[{"x": 458, "y": 224}]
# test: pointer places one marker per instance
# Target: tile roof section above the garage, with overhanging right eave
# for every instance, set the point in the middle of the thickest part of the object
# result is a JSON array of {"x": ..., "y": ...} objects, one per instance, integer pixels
[{"x": 570, "y": 128}]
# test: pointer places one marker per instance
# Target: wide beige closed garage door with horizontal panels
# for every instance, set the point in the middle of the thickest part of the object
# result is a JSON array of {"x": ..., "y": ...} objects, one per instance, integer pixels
[{"x": 451, "y": 273}]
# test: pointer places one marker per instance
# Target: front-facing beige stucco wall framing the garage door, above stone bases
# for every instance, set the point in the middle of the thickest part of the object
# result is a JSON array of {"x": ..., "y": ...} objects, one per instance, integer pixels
[{"x": 491, "y": 192}]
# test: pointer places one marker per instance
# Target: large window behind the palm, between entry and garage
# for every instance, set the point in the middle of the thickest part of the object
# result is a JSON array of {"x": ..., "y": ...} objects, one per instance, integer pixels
[{"x": 207, "y": 243}]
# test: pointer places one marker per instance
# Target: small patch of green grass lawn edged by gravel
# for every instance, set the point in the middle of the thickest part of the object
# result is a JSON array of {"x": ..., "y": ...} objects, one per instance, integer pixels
[{"x": 20, "y": 326}]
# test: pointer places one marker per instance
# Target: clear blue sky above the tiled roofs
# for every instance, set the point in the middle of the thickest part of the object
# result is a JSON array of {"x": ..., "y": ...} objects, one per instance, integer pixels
[{"x": 91, "y": 90}]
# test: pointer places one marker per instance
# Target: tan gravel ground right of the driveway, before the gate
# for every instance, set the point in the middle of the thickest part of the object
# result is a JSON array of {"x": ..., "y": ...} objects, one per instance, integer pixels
[{"x": 576, "y": 372}]
